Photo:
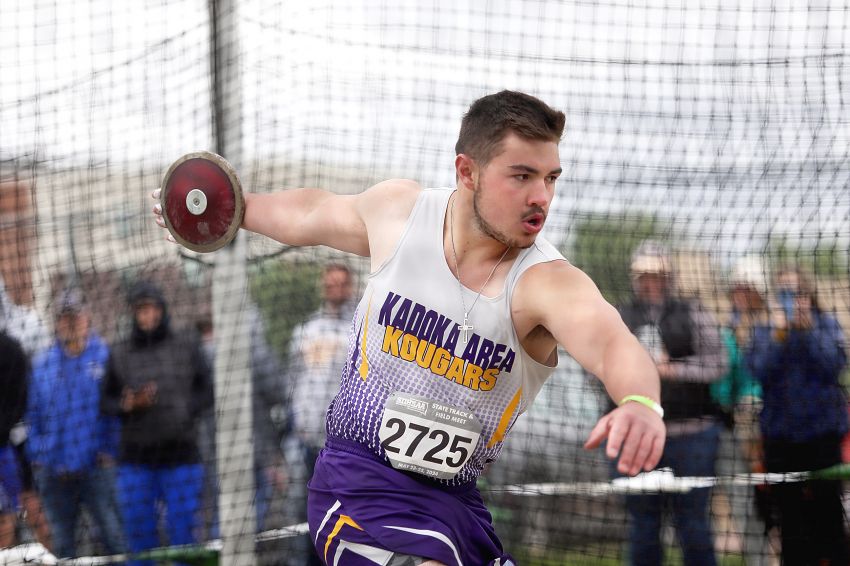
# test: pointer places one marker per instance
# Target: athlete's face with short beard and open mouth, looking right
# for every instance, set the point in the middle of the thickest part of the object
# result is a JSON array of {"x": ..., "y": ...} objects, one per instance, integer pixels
[{"x": 514, "y": 190}]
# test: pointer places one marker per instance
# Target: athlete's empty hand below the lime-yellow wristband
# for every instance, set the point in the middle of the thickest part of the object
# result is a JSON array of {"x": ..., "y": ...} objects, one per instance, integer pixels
[{"x": 635, "y": 433}]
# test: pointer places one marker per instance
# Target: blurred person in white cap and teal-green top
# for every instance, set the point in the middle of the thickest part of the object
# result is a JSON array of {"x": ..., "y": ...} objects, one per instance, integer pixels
[{"x": 738, "y": 394}]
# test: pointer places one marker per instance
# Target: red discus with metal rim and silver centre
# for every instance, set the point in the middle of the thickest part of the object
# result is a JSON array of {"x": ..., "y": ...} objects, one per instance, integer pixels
[{"x": 202, "y": 201}]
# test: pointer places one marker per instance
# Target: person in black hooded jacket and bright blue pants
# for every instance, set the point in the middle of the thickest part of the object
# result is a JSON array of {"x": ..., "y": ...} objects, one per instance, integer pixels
[{"x": 158, "y": 382}]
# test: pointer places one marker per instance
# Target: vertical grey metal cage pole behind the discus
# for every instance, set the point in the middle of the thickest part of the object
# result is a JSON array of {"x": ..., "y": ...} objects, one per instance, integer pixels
[{"x": 233, "y": 384}]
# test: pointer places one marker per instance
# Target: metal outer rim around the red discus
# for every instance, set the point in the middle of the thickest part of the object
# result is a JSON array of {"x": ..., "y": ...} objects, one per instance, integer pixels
[{"x": 238, "y": 197}]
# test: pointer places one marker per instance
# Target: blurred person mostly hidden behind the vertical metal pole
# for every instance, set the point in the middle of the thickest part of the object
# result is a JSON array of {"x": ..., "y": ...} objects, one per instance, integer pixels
[{"x": 268, "y": 402}]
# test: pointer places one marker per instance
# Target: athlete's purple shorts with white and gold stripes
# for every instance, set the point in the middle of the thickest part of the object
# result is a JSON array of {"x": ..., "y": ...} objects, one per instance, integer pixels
[{"x": 363, "y": 512}]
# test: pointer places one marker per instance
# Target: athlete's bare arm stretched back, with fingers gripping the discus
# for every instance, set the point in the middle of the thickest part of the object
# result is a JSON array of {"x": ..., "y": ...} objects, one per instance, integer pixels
[{"x": 308, "y": 217}]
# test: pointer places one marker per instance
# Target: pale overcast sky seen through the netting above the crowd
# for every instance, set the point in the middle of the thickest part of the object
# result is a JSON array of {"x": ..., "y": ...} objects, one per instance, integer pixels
[{"x": 730, "y": 118}]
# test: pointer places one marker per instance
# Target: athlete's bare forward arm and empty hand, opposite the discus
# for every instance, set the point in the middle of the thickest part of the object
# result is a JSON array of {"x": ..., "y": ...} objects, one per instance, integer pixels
[{"x": 571, "y": 308}]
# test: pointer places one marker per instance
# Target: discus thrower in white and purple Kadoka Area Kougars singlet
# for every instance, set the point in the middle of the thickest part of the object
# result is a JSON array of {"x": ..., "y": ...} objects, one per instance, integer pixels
[{"x": 455, "y": 334}]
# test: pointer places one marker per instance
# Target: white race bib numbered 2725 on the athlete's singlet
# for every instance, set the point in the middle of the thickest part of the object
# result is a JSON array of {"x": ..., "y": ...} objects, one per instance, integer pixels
[{"x": 430, "y": 438}]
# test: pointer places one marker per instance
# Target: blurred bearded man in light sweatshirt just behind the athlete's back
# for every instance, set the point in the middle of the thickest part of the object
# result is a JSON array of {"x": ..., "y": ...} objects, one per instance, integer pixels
[{"x": 317, "y": 355}]
